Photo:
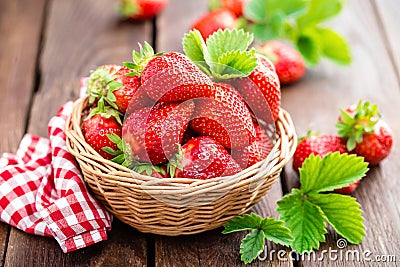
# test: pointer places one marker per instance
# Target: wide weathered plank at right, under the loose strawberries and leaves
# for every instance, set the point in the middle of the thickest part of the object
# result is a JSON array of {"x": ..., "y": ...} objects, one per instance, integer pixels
[{"x": 314, "y": 104}]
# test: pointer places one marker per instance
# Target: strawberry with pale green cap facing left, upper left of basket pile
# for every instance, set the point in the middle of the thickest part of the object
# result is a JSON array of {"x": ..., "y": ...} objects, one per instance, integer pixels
[{"x": 110, "y": 84}]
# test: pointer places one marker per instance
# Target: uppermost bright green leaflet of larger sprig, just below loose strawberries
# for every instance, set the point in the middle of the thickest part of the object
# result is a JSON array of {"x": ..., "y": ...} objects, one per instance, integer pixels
[{"x": 333, "y": 171}]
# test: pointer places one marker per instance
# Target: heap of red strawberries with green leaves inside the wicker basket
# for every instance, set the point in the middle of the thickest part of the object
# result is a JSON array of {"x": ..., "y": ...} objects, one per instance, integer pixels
[{"x": 192, "y": 116}]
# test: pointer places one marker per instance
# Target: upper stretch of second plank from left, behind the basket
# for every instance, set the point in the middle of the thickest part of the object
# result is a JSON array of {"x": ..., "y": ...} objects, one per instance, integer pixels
[{"x": 80, "y": 35}]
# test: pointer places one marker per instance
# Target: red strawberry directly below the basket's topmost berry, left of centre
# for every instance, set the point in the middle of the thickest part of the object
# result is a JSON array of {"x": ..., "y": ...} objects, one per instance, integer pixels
[{"x": 152, "y": 133}]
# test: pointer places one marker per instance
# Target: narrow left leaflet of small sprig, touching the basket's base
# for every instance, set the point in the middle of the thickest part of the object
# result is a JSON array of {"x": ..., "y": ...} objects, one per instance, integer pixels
[{"x": 245, "y": 222}]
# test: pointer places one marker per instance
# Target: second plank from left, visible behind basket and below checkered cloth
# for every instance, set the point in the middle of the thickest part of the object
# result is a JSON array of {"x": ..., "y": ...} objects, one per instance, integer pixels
[{"x": 79, "y": 36}]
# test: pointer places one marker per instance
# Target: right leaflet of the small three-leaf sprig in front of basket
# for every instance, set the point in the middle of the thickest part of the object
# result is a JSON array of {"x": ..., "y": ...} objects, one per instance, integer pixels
[{"x": 275, "y": 231}]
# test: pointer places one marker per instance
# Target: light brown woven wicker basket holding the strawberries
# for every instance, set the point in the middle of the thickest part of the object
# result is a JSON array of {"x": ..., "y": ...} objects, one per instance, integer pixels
[{"x": 175, "y": 206}]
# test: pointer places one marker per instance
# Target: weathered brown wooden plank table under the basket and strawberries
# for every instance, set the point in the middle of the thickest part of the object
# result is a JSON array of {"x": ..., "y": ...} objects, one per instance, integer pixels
[{"x": 46, "y": 45}]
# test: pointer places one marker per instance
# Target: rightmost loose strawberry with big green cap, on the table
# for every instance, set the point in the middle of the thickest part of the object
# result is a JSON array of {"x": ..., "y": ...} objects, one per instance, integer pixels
[{"x": 367, "y": 135}]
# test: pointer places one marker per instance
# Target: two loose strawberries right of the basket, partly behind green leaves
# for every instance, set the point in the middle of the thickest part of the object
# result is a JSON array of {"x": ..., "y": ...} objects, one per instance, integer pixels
[{"x": 361, "y": 131}]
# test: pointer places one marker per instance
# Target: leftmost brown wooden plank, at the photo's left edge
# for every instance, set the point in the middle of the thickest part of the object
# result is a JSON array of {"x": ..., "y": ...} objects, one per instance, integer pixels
[{"x": 18, "y": 51}]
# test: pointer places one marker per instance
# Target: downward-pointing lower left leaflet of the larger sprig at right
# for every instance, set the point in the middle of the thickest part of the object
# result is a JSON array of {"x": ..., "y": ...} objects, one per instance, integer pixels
[{"x": 305, "y": 220}]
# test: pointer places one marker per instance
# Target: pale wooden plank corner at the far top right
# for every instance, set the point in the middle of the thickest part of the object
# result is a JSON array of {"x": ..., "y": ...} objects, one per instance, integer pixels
[{"x": 388, "y": 12}]
